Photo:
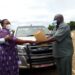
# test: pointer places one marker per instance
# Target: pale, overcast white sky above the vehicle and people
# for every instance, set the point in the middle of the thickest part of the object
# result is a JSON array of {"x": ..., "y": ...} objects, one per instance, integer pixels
[{"x": 36, "y": 12}]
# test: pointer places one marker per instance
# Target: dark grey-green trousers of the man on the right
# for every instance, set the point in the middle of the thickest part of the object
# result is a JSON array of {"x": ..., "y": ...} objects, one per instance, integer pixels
[{"x": 64, "y": 65}]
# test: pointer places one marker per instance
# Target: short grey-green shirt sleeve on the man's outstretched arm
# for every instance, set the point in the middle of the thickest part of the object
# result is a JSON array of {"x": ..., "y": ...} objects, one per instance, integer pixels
[{"x": 61, "y": 33}]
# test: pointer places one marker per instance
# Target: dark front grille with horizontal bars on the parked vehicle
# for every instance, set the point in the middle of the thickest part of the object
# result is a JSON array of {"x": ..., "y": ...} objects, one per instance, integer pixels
[{"x": 40, "y": 54}]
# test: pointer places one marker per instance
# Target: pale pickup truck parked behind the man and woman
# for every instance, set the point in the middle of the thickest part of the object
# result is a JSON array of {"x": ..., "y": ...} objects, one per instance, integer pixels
[{"x": 33, "y": 56}]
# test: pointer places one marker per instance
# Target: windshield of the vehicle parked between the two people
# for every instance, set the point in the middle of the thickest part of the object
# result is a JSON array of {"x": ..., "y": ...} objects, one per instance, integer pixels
[{"x": 30, "y": 30}]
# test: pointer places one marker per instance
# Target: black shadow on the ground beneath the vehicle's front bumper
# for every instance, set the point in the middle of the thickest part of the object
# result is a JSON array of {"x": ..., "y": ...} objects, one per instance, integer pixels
[{"x": 41, "y": 71}]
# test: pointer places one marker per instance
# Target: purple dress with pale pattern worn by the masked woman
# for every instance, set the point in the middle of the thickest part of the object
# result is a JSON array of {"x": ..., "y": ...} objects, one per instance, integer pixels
[{"x": 8, "y": 56}]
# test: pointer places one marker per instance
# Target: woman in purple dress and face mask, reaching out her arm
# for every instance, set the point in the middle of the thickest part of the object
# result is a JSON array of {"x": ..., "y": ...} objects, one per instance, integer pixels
[{"x": 8, "y": 51}]
